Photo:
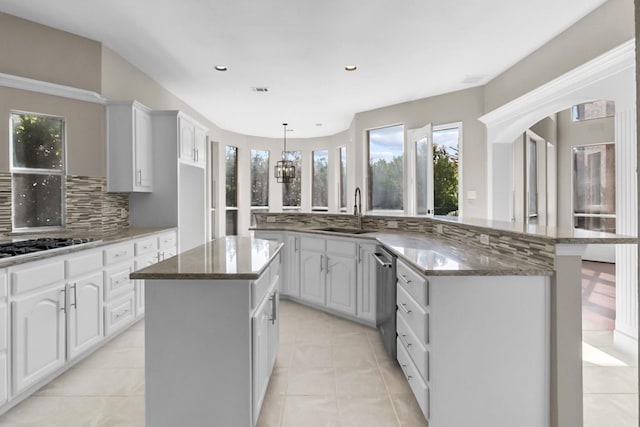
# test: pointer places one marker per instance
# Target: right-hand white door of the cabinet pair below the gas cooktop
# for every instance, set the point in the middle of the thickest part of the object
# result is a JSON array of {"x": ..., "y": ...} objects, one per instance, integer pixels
[{"x": 85, "y": 319}]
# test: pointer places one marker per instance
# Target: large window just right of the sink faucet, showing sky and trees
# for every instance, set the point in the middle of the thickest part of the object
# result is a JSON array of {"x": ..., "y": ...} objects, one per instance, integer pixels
[{"x": 386, "y": 168}]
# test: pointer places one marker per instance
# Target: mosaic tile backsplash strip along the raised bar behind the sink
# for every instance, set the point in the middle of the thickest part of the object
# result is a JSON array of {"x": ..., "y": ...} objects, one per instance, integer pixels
[{"x": 530, "y": 249}]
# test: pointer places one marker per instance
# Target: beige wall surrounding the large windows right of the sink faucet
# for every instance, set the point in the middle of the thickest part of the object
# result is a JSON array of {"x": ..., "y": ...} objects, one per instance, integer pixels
[{"x": 463, "y": 106}]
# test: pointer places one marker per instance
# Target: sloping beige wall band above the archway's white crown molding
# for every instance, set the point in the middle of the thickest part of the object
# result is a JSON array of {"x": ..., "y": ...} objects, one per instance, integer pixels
[{"x": 605, "y": 28}]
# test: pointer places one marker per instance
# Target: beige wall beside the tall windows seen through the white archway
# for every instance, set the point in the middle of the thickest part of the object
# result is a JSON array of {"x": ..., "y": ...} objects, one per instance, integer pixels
[{"x": 572, "y": 134}]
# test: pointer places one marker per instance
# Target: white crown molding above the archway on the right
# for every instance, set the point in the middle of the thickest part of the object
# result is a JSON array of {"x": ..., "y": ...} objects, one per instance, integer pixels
[{"x": 599, "y": 68}]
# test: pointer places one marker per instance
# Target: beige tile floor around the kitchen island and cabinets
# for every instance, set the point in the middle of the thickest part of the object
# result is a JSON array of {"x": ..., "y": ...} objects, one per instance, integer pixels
[{"x": 329, "y": 372}]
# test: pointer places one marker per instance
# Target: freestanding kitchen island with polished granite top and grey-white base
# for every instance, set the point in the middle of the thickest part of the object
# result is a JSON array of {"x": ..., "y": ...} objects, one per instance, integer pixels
[{"x": 211, "y": 333}]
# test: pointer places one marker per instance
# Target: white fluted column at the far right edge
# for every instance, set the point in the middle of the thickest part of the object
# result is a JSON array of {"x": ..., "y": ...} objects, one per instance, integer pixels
[{"x": 626, "y": 331}]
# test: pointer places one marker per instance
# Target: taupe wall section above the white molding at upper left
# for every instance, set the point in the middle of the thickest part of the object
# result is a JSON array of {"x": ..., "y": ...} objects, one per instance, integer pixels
[{"x": 43, "y": 53}]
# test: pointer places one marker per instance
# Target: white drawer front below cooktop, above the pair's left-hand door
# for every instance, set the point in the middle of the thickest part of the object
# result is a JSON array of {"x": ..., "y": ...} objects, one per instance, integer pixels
[{"x": 36, "y": 275}]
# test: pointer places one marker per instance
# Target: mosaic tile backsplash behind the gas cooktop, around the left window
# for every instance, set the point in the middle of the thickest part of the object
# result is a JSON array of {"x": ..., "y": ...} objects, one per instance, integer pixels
[{"x": 88, "y": 205}]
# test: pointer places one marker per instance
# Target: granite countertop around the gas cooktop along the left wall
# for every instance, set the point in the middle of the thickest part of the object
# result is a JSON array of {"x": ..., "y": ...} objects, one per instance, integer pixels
[{"x": 100, "y": 239}]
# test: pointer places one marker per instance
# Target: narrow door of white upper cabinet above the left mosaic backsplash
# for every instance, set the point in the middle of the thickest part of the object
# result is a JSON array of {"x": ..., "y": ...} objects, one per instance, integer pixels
[{"x": 143, "y": 151}]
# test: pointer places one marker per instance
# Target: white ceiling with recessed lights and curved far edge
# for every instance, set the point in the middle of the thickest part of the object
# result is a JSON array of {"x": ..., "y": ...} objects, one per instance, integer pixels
[{"x": 404, "y": 50}]
